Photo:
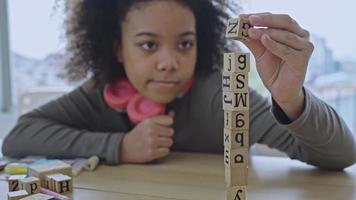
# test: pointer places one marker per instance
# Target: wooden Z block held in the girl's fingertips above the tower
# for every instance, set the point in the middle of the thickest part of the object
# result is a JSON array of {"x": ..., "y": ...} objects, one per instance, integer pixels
[{"x": 237, "y": 29}]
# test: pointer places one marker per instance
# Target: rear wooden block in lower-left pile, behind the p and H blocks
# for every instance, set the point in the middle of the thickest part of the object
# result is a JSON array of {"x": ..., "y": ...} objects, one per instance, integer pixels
[{"x": 42, "y": 168}]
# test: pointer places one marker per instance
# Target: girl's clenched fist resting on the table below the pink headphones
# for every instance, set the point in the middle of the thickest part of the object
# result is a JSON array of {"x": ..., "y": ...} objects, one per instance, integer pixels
[{"x": 149, "y": 140}]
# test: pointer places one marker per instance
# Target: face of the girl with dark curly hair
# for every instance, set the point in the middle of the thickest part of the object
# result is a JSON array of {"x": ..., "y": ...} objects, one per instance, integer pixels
[{"x": 158, "y": 48}]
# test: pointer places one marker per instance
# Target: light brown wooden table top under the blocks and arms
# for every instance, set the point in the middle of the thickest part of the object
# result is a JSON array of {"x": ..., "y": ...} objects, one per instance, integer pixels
[{"x": 201, "y": 177}]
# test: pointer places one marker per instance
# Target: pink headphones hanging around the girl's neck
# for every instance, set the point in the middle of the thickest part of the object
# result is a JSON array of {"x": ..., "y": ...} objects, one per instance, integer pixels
[{"x": 122, "y": 96}]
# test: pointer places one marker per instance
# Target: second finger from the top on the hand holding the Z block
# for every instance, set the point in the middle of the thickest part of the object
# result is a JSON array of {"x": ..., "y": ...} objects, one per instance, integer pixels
[{"x": 290, "y": 39}]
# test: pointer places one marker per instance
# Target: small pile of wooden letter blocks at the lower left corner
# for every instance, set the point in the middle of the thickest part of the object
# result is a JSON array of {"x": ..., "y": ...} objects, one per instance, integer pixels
[{"x": 54, "y": 175}]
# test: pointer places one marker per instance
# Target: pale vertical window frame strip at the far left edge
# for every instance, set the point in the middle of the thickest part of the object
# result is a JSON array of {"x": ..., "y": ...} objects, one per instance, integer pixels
[{"x": 5, "y": 64}]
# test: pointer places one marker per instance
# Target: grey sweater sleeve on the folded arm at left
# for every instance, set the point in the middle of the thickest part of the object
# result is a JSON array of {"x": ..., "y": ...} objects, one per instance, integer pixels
[{"x": 78, "y": 124}]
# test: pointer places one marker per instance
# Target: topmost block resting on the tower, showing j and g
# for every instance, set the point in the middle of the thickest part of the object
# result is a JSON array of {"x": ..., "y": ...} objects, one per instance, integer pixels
[{"x": 236, "y": 62}]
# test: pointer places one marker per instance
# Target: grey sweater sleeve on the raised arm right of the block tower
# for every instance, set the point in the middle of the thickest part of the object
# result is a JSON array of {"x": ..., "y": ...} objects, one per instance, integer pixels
[{"x": 318, "y": 136}]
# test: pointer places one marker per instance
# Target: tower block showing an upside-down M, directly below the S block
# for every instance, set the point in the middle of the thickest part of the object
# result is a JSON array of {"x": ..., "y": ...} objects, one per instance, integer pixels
[{"x": 236, "y": 100}]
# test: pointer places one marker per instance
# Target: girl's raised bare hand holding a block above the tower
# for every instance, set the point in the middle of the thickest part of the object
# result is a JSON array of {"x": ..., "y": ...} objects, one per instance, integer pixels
[{"x": 282, "y": 51}]
